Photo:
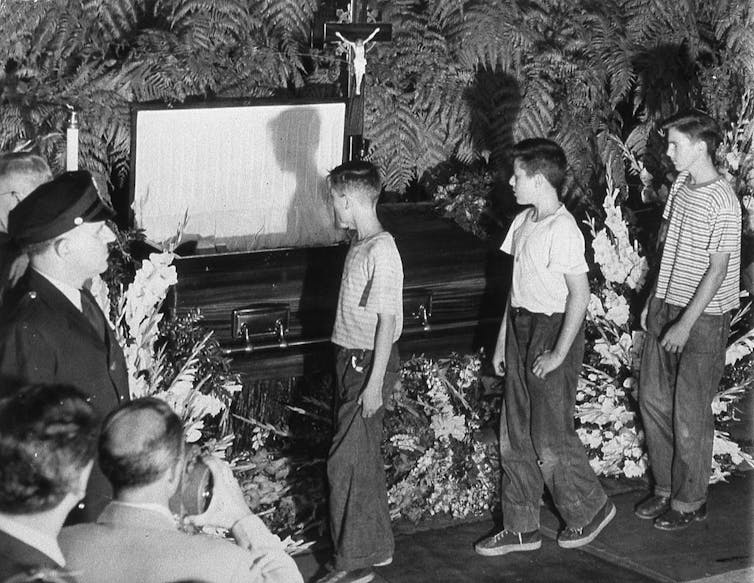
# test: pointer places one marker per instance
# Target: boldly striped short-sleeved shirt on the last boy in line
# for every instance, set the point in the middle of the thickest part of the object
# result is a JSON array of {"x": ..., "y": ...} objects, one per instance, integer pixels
[{"x": 702, "y": 219}]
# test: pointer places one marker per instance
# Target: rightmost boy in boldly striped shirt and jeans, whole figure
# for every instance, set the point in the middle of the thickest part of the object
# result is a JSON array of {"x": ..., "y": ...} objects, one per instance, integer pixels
[{"x": 687, "y": 319}]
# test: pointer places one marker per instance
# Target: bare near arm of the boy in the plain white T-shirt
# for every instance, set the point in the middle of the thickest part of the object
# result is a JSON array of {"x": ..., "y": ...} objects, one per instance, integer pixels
[{"x": 576, "y": 305}]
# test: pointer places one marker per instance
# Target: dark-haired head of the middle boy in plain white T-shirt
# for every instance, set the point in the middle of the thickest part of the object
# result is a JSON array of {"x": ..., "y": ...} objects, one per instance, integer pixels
[{"x": 537, "y": 163}]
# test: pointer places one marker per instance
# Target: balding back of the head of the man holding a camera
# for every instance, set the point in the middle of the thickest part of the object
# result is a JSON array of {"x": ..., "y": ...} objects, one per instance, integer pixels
[{"x": 140, "y": 441}]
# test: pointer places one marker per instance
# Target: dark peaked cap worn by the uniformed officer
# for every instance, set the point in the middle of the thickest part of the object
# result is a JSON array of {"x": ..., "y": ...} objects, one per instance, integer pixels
[{"x": 57, "y": 207}]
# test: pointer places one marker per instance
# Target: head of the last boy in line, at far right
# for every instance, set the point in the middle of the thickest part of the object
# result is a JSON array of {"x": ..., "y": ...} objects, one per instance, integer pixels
[{"x": 693, "y": 138}]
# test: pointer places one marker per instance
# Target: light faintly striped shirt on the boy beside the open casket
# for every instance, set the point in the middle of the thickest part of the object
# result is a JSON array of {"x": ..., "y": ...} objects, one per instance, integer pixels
[{"x": 372, "y": 284}]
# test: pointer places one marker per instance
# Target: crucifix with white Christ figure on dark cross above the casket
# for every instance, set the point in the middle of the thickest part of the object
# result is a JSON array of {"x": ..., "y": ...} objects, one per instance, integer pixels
[{"x": 356, "y": 37}]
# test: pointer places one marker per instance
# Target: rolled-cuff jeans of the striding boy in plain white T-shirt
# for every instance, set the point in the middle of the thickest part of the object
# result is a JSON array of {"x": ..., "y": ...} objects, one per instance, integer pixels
[{"x": 538, "y": 442}]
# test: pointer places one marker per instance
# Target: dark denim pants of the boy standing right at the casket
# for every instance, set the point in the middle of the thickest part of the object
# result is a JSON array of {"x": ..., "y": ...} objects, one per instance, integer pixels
[{"x": 359, "y": 516}]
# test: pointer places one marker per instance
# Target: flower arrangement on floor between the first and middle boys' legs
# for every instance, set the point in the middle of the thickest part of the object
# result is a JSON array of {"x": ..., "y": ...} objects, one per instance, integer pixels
[{"x": 436, "y": 462}]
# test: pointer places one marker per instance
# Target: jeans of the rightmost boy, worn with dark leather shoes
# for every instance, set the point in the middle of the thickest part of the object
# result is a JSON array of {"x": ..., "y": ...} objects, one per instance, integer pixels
[{"x": 675, "y": 400}]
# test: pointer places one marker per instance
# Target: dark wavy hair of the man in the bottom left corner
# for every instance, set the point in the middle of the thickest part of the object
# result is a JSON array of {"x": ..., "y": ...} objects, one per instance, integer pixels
[{"x": 48, "y": 434}]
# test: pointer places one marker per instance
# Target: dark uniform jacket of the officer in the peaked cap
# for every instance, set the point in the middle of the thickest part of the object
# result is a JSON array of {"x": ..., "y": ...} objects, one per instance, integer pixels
[{"x": 44, "y": 338}]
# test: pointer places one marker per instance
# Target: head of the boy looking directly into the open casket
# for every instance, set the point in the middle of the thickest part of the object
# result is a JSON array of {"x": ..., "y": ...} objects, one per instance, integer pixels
[{"x": 353, "y": 184}]
